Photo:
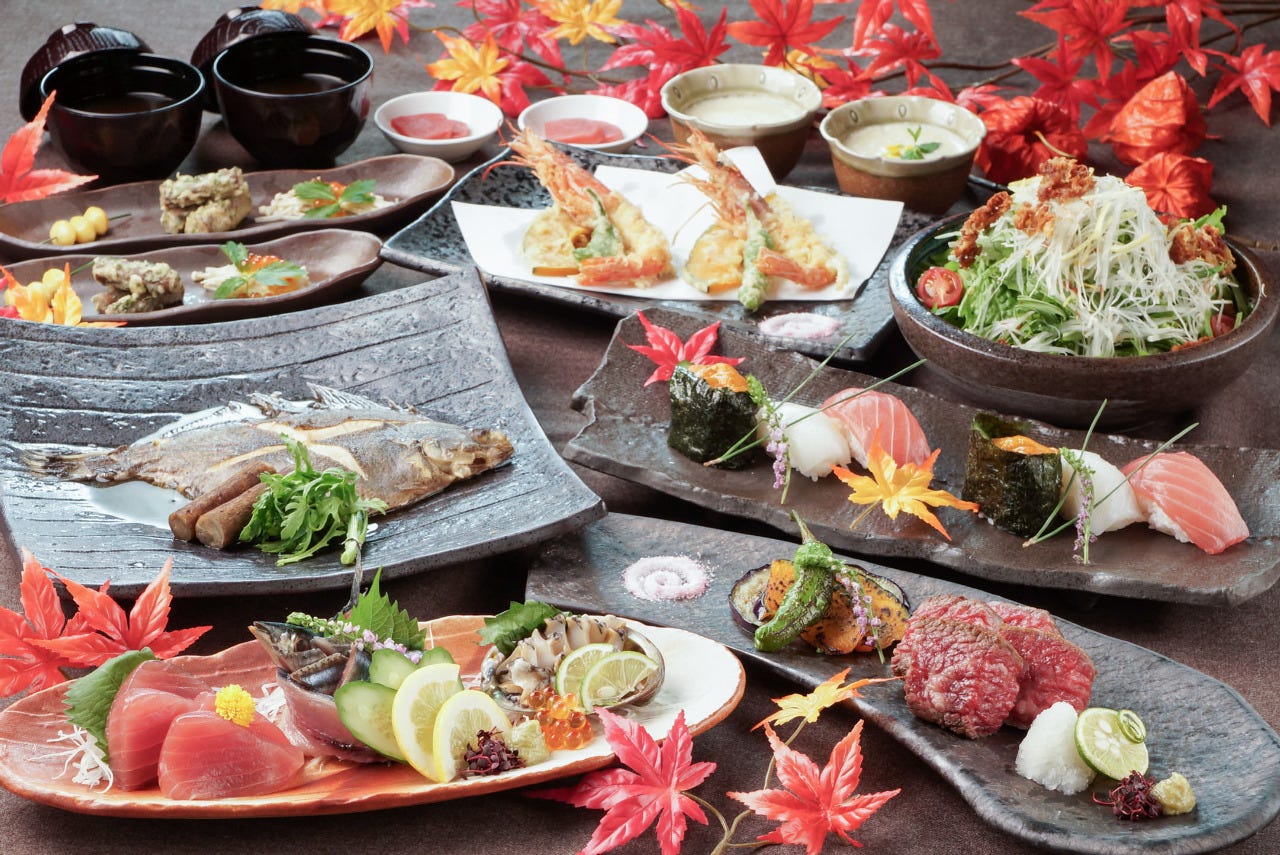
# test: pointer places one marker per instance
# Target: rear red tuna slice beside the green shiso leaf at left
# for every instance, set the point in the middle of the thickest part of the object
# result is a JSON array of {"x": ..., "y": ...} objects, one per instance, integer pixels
[{"x": 136, "y": 728}]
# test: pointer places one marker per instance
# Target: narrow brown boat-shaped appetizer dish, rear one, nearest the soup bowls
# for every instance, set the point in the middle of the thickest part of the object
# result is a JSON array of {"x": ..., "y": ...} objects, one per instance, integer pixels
[{"x": 410, "y": 182}]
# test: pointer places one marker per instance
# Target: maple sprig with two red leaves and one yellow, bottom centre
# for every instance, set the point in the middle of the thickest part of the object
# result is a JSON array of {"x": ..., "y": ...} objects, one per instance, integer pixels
[{"x": 657, "y": 781}]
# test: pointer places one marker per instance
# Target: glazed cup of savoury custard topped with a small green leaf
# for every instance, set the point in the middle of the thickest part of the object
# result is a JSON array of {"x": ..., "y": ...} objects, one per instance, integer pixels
[{"x": 868, "y": 139}]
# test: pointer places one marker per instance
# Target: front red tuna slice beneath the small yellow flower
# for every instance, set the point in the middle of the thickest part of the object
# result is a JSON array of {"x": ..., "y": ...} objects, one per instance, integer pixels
[{"x": 208, "y": 757}]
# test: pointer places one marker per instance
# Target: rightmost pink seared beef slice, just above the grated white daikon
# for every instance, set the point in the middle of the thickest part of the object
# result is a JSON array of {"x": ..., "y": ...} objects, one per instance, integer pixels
[{"x": 1055, "y": 670}]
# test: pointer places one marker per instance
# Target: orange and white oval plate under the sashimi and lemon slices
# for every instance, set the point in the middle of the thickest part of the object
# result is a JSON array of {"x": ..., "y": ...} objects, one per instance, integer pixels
[{"x": 703, "y": 680}]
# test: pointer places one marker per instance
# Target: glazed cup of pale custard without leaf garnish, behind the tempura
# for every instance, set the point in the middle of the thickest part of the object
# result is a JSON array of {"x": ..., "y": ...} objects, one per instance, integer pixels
[{"x": 746, "y": 106}]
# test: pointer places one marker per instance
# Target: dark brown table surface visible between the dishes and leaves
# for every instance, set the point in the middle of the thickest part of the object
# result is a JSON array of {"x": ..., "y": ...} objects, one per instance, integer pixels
[{"x": 554, "y": 351}]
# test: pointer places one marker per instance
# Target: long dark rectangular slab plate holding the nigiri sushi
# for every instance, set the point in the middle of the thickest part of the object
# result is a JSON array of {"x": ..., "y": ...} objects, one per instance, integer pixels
[{"x": 628, "y": 437}]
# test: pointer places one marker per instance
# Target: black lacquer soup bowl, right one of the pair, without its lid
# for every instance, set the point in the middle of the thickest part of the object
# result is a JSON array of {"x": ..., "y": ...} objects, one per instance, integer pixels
[{"x": 294, "y": 102}]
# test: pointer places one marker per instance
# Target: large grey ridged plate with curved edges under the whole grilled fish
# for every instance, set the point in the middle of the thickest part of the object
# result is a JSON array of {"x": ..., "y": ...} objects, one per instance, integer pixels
[{"x": 435, "y": 346}]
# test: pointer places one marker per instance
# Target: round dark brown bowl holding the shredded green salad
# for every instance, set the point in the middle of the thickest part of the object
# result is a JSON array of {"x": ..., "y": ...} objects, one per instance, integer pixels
[{"x": 1064, "y": 390}]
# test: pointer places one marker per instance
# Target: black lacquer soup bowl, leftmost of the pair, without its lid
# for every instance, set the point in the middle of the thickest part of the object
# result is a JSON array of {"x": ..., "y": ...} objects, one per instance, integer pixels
[{"x": 125, "y": 116}]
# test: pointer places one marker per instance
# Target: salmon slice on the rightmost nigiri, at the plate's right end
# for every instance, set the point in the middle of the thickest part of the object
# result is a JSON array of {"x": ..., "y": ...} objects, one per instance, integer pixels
[{"x": 1182, "y": 497}]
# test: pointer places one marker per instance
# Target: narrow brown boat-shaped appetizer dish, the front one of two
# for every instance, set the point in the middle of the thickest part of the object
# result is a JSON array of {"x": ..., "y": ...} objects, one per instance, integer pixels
[{"x": 337, "y": 260}]
